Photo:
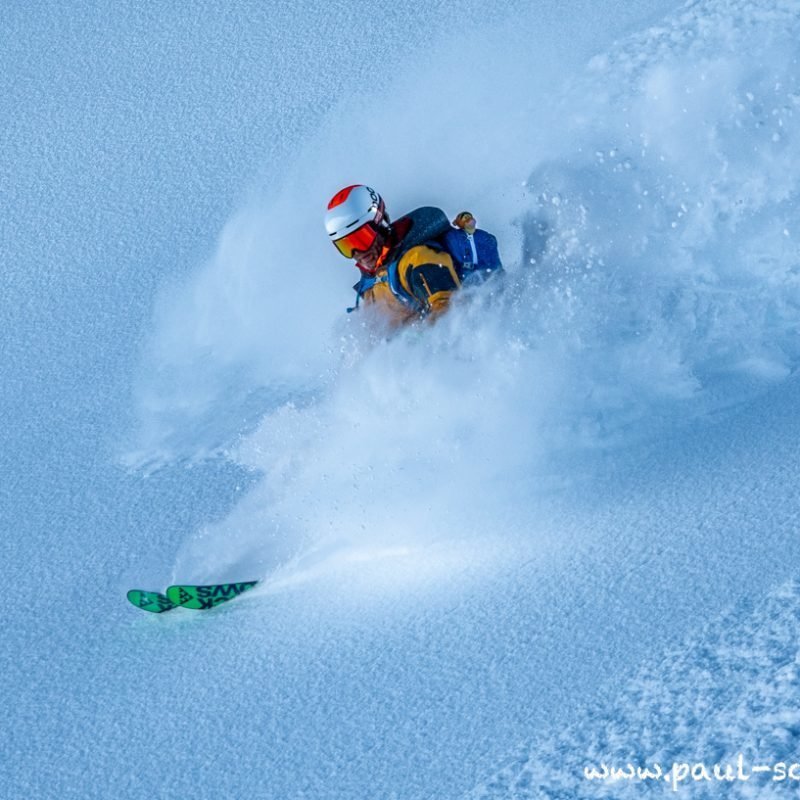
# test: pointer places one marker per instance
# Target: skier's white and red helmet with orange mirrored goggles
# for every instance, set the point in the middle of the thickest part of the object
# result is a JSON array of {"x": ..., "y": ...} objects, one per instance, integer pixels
[{"x": 356, "y": 216}]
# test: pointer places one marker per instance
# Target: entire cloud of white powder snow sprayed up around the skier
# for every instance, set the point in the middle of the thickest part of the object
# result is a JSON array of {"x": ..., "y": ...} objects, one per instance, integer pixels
[{"x": 647, "y": 213}]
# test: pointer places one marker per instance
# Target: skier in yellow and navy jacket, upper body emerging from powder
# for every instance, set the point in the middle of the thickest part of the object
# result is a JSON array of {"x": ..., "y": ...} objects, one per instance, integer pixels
[{"x": 406, "y": 273}]
